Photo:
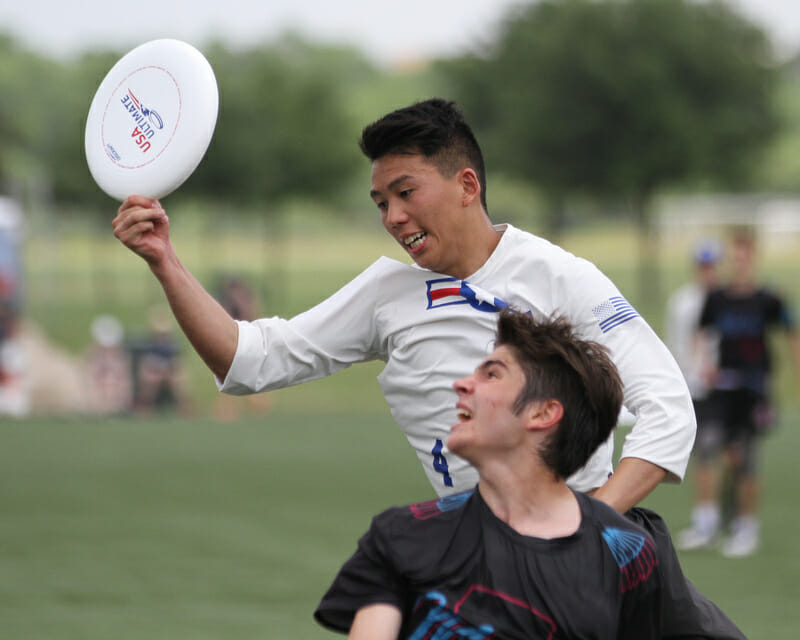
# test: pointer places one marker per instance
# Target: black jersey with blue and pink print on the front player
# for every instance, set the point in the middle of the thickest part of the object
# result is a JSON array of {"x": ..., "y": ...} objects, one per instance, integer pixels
[{"x": 456, "y": 571}]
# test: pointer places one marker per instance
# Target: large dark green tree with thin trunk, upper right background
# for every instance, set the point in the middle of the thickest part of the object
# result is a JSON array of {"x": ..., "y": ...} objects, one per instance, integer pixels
[{"x": 622, "y": 98}]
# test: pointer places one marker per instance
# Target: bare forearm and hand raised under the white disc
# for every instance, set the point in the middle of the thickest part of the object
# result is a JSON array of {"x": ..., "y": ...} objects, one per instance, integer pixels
[{"x": 142, "y": 226}]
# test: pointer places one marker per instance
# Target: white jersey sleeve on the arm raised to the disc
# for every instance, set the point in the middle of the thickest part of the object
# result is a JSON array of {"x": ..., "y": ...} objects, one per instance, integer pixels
[{"x": 273, "y": 353}]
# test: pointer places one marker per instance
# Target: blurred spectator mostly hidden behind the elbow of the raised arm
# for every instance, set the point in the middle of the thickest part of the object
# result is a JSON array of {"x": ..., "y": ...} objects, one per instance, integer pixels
[{"x": 238, "y": 299}]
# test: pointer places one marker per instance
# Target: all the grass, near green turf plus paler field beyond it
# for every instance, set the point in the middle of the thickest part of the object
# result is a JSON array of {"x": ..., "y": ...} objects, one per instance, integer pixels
[{"x": 185, "y": 528}]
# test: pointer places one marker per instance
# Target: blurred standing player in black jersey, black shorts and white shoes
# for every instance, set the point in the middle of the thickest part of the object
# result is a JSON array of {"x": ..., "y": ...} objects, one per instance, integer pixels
[{"x": 739, "y": 315}]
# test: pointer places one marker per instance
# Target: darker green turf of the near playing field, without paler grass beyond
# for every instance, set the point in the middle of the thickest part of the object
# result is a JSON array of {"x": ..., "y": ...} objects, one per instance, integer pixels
[{"x": 173, "y": 528}]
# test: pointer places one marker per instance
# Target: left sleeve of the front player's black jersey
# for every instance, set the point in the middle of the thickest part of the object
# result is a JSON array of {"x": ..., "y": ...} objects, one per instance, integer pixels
[{"x": 367, "y": 578}]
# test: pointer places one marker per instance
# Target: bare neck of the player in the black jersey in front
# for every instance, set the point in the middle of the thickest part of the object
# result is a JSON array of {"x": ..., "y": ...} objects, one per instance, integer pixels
[{"x": 534, "y": 503}]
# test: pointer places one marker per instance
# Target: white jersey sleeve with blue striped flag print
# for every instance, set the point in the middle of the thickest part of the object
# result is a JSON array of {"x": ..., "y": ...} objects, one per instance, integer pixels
[{"x": 655, "y": 390}]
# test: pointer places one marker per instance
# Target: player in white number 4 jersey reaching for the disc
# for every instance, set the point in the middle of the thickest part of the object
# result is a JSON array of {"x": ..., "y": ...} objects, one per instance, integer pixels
[{"x": 433, "y": 320}]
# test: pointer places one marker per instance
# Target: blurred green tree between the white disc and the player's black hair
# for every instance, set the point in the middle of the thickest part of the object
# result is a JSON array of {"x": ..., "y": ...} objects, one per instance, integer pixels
[{"x": 283, "y": 128}]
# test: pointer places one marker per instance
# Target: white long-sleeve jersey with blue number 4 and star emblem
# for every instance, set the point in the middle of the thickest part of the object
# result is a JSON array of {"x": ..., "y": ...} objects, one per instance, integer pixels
[{"x": 431, "y": 329}]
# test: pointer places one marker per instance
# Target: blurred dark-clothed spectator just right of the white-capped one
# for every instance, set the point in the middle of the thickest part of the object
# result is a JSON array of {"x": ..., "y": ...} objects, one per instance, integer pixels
[{"x": 158, "y": 384}]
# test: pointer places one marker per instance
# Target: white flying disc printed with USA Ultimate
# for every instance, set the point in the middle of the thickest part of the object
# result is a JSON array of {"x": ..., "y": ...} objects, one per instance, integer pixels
[{"x": 151, "y": 120}]
